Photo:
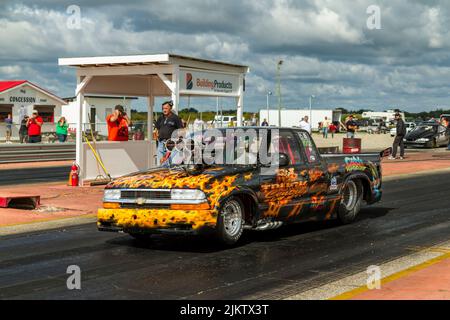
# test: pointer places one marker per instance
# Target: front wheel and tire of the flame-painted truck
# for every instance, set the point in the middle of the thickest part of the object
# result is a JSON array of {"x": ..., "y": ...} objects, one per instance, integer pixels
[{"x": 230, "y": 223}]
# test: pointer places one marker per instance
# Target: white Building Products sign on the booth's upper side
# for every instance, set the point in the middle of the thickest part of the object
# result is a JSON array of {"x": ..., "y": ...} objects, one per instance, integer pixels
[{"x": 208, "y": 83}]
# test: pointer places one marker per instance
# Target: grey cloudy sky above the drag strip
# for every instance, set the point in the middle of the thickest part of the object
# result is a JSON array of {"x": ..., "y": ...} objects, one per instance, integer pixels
[{"x": 327, "y": 47}]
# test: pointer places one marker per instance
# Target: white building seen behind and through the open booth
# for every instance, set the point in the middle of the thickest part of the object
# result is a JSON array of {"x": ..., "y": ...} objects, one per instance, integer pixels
[{"x": 95, "y": 110}]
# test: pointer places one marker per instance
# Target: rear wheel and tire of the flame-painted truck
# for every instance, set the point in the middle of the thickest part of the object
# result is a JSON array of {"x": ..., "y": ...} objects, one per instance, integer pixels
[{"x": 352, "y": 196}]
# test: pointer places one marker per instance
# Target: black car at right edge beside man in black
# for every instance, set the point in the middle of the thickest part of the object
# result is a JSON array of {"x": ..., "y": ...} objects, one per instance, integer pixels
[{"x": 427, "y": 134}]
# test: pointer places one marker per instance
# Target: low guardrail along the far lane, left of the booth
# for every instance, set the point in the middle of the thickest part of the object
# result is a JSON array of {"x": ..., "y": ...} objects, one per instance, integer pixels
[{"x": 15, "y": 153}]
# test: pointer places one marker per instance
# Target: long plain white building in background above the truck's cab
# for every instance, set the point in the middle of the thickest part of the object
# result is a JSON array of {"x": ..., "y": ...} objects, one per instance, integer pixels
[{"x": 292, "y": 117}]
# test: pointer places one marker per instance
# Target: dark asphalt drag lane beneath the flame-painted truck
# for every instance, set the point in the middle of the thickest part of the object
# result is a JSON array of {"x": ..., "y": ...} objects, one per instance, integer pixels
[{"x": 271, "y": 265}]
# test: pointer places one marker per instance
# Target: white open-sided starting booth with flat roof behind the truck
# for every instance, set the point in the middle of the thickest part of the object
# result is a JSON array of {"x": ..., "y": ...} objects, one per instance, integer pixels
[{"x": 161, "y": 75}]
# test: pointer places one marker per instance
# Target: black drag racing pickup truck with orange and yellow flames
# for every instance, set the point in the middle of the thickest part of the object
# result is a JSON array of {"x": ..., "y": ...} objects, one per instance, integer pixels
[{"x": 226, "y": 198}]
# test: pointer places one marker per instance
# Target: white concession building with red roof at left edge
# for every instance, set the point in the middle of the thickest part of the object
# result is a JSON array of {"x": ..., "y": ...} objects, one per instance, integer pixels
[{"x": 20, "y": 98}]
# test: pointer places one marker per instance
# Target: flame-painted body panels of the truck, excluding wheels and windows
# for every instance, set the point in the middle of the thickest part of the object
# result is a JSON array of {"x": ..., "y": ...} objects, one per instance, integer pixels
[{"x": 292, "y": 194}]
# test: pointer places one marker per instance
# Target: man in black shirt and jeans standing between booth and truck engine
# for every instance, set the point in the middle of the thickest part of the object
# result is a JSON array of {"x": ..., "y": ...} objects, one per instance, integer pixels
[{"x": 166, "y": 124}]
